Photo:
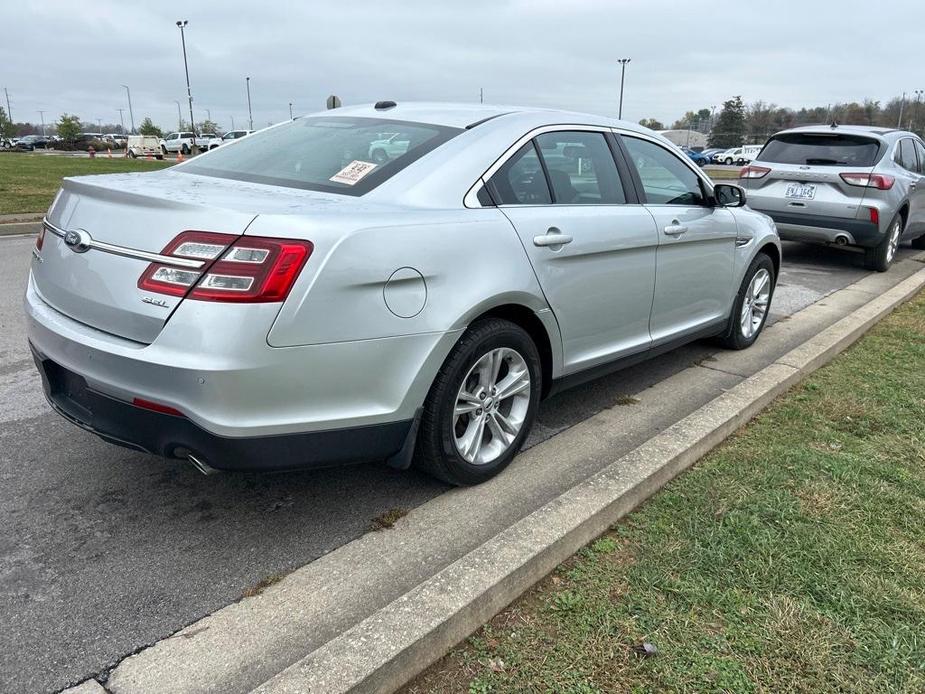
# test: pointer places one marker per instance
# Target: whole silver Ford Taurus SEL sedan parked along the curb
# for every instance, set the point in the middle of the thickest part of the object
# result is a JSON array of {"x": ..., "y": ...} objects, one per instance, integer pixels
[{"x": 343, "y": 311}]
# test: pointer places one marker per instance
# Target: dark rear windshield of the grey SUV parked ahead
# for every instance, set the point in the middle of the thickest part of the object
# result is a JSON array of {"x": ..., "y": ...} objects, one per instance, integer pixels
[{"x": 823, "y": 149}]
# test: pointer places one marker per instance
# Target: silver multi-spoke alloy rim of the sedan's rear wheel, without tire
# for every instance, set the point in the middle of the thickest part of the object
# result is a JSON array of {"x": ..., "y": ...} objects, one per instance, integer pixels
[{"x": 491, "y": 406}]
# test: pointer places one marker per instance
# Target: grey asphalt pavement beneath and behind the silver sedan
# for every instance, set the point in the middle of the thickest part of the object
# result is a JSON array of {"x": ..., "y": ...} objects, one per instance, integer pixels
[{"x": 106, "y": 551}]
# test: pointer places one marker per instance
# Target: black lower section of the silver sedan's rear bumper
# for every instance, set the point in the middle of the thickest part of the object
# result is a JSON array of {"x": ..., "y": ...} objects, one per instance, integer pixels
[{"x": 171, "y": 436}]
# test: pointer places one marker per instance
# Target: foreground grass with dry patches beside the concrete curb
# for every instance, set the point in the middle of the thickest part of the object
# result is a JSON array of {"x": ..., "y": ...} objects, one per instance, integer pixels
[{"x": 790, "y": 559}]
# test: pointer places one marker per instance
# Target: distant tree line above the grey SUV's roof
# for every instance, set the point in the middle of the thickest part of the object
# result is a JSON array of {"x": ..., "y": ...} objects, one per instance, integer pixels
[{"x": 738, "y": 123}]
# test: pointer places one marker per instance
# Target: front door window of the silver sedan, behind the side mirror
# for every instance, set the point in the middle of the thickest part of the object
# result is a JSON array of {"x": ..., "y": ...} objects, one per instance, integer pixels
[{"x": 666, "y": 180}]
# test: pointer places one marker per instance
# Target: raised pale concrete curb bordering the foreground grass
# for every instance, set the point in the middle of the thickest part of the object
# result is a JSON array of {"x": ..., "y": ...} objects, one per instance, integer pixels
[{"x": 392, "y": 646}]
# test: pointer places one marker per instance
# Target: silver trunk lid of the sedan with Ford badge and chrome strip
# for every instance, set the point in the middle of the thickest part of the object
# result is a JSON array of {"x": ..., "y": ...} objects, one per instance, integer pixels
[{"x": 138, "y": 213}]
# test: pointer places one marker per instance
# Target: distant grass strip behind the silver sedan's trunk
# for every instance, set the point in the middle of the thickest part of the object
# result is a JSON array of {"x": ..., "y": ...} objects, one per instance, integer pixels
[{"x": 28, "y": 182}]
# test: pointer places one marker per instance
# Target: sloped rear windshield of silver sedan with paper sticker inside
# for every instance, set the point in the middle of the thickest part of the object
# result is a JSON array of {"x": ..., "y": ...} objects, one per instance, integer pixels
[{"x": 332, "y": 154}]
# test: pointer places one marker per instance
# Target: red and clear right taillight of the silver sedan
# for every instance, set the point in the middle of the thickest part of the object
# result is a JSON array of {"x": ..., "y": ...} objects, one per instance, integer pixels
[{"x": 248, "y": 269}]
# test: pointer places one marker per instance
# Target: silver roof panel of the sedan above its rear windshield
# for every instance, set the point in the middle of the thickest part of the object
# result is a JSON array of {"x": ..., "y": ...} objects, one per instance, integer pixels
[{"x": 462, "y": 115}]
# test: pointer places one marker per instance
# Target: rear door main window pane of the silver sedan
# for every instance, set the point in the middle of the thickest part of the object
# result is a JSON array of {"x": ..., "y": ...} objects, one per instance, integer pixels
[{"x": 581, "y": 168}]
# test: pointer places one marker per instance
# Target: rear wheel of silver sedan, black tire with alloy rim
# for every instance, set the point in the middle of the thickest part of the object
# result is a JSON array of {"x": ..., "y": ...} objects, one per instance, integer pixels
[{"x": 471, "y": 446}]
